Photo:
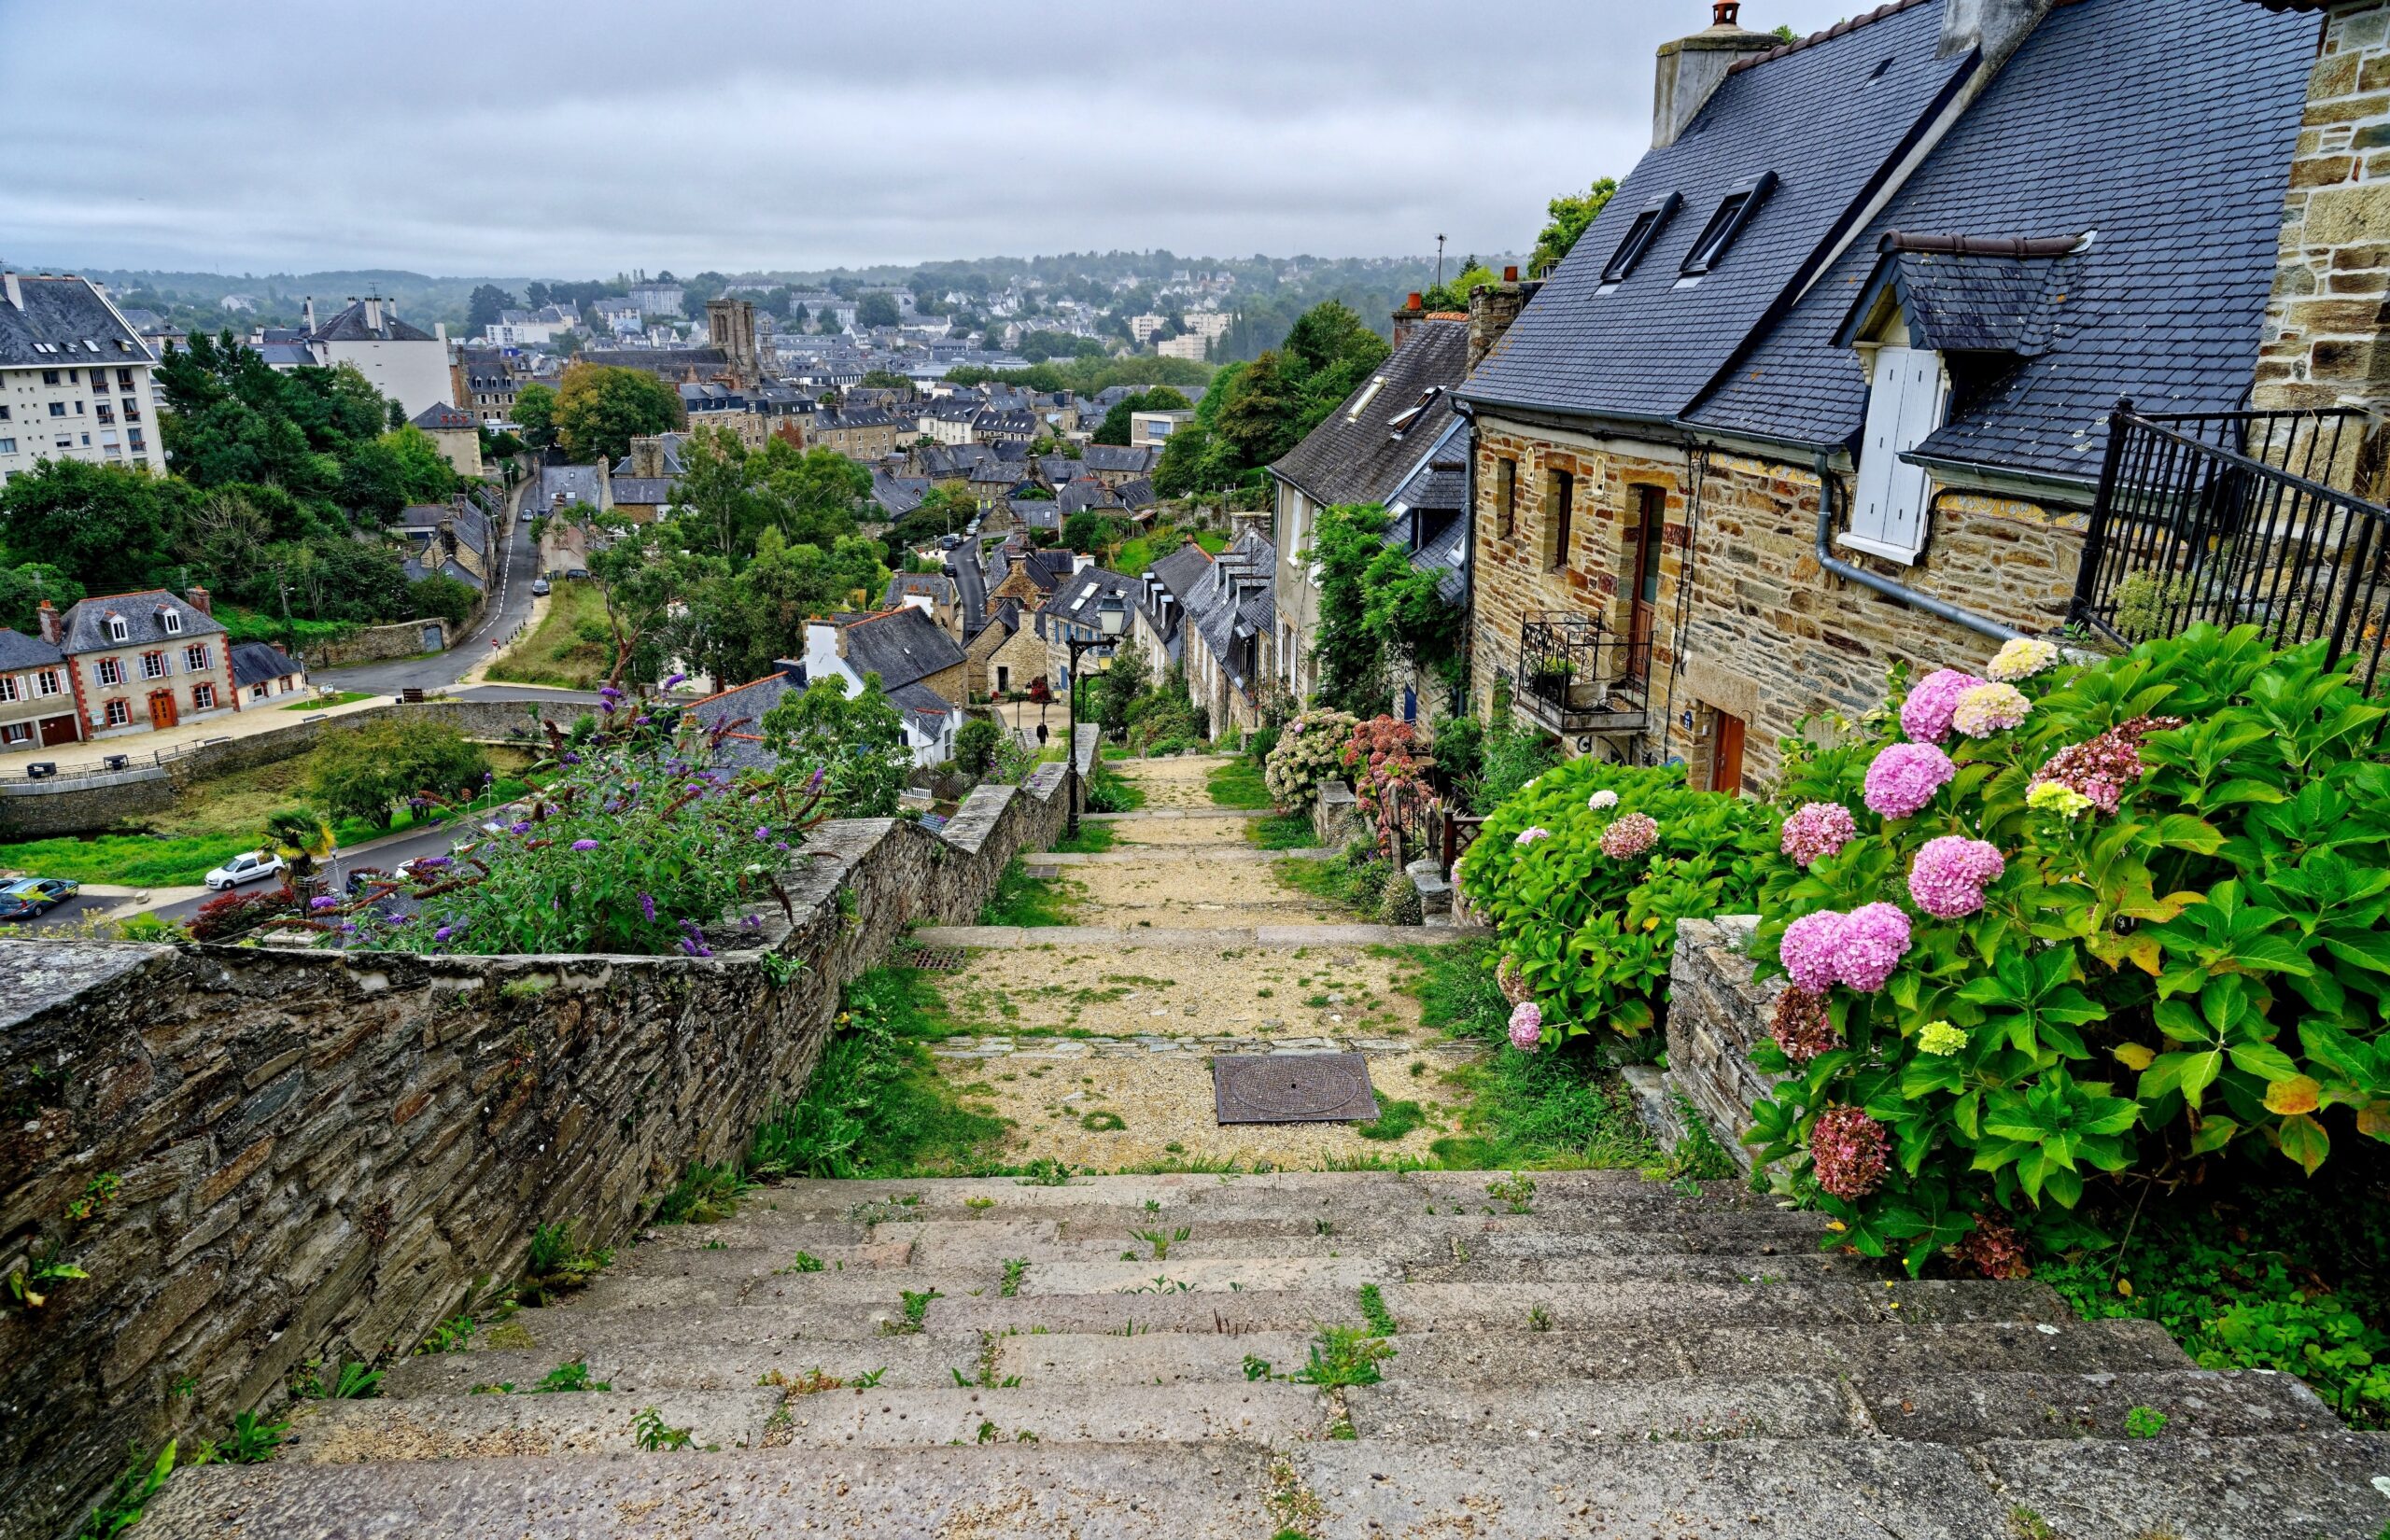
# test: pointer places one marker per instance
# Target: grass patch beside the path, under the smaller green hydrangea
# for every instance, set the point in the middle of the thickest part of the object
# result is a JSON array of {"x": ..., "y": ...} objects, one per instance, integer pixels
[{"x": 1550, "y": 1111}]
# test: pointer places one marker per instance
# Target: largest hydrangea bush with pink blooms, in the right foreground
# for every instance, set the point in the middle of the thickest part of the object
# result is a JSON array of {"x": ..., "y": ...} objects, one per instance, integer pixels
[{"x": 2095, "y": 942}]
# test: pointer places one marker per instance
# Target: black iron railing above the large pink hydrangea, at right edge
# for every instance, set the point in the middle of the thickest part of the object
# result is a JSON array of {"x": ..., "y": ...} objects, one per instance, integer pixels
[{"x": 2236, "y": 519}]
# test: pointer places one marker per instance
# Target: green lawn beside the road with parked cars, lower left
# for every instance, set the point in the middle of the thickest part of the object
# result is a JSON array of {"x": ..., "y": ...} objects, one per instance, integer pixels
[{"x": 216, "y": 823}]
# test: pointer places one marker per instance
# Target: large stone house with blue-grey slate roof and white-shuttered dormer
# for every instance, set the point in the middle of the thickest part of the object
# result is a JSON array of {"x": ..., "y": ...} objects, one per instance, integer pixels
[{"x": 1801, "y": 409}]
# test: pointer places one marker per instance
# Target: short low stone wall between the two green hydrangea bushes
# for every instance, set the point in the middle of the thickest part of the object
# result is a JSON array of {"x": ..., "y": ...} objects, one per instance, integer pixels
[{"x": 1715, "y": 1016}]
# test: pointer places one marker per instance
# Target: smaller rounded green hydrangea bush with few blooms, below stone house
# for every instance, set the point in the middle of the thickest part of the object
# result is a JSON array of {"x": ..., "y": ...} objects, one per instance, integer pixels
[{"x": 1588, "y": 894}]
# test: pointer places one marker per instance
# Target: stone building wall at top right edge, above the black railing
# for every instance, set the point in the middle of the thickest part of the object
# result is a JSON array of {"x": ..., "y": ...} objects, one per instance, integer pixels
[{"x": 2329, "y": 321}]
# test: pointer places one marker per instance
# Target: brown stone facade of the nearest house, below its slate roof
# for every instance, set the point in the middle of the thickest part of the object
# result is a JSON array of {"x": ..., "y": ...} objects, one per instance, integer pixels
[{"x": 1765, "y": 634}]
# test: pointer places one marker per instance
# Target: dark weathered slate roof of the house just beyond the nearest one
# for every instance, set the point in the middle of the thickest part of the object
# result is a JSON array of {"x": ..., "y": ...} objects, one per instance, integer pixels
[{"x": 1359, "y": 455}]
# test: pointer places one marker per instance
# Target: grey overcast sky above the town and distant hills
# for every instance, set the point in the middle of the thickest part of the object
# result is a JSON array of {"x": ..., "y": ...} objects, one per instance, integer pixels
[{"x": 529, "y": 140}]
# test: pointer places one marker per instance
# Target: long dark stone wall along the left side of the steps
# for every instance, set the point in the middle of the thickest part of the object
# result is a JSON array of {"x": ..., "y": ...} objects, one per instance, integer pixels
[{"x": 324, "y": 1152}]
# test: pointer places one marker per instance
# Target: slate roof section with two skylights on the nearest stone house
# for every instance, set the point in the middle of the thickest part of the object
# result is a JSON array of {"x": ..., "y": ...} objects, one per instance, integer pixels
[{"x": 1827, "y": 125}]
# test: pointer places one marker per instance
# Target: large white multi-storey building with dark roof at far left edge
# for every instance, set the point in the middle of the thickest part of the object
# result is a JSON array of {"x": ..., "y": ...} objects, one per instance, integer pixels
[{"x": 75, "y": 378}]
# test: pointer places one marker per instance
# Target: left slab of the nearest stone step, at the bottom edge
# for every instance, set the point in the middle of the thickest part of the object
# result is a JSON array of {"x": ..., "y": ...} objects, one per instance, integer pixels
[{"x": 974, "y": 1493}]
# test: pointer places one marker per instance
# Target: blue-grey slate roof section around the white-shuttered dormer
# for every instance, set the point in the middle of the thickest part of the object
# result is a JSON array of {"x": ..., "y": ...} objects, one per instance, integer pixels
[{"x": 2164, "y": 125}]
